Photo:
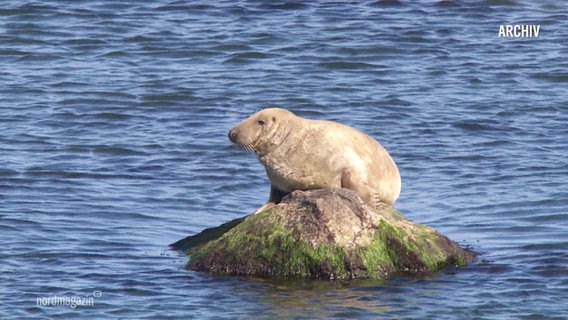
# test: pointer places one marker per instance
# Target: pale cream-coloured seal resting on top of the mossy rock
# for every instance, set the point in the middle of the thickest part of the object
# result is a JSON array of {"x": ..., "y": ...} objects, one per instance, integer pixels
[{"x": 304, "y": 154}]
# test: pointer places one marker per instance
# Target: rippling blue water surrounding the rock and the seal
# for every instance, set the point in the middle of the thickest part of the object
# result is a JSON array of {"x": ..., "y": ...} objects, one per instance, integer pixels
[{"x": 114, "y": 117}]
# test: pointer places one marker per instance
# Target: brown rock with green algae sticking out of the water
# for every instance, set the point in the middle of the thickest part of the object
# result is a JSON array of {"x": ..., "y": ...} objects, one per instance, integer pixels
[{"x": 322, "y": 234}]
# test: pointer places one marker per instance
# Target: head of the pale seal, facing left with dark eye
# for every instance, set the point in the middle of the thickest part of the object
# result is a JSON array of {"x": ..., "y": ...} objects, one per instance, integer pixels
[{"x": 264, "y": 131}]
